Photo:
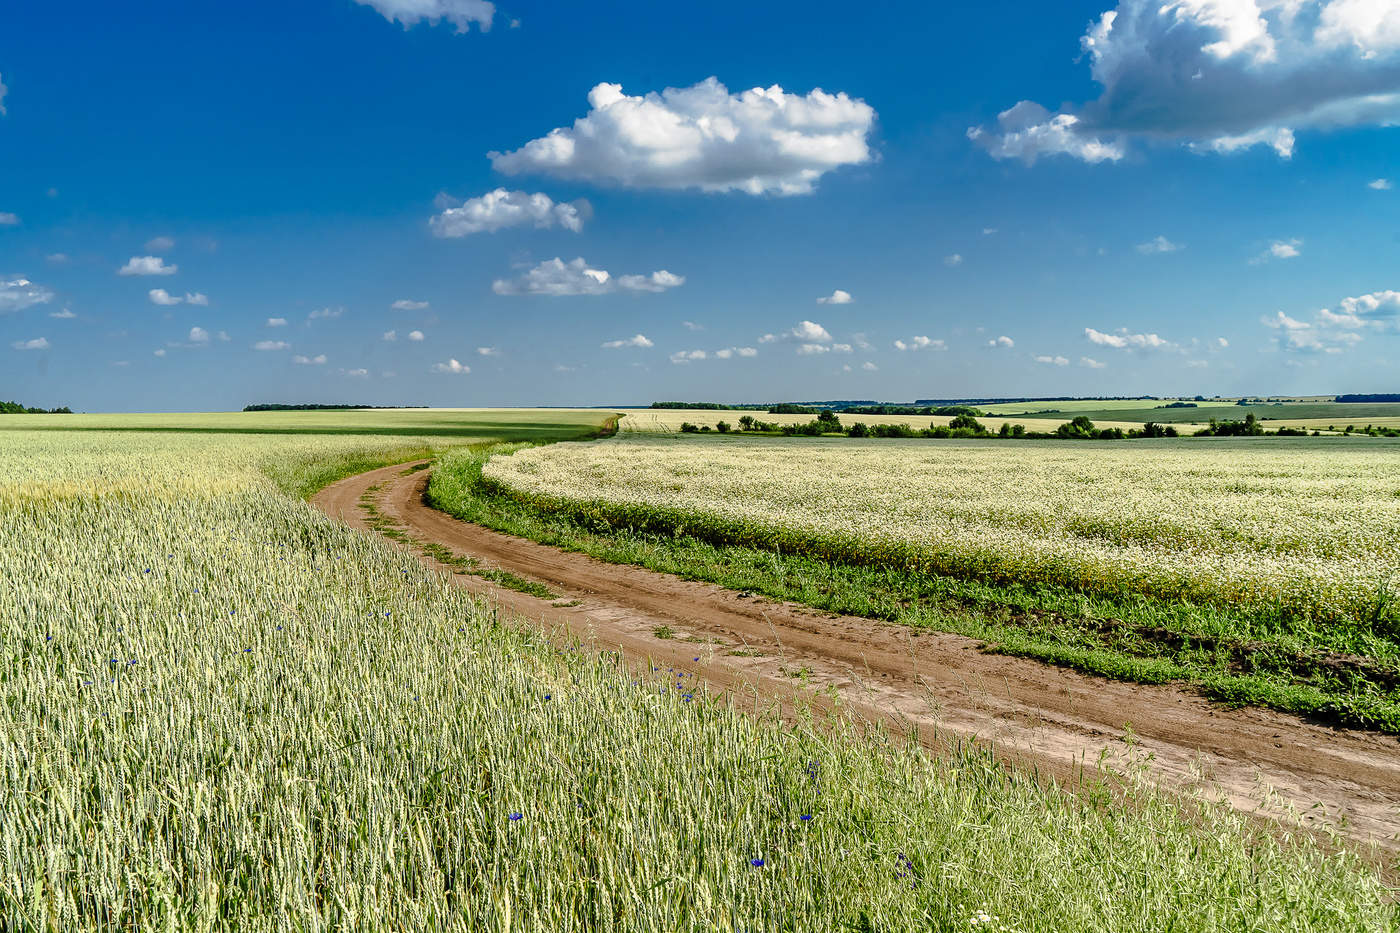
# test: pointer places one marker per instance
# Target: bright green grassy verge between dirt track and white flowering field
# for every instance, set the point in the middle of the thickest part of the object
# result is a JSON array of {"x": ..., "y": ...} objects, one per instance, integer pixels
[{"x": 1235, "y": 658}]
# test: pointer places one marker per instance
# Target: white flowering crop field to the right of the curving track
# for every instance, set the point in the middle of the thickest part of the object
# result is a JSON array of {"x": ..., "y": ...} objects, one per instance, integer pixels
[{"x": 1310, "y": 526}]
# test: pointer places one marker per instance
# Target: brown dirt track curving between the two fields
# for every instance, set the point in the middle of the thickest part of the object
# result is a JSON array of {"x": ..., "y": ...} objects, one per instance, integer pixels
[{"x": 941, "y": 686}]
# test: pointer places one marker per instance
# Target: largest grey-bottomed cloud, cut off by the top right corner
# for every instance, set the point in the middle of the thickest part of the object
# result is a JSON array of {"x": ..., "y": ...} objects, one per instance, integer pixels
[{"x": 1219, "y": 75}]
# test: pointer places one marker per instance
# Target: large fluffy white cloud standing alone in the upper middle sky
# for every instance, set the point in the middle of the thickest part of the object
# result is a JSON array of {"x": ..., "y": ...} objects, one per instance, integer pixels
[{"x": 764, "y": 141}]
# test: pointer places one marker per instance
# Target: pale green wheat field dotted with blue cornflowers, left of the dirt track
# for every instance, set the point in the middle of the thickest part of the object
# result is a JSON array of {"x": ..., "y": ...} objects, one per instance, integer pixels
[{"x": 223, "y": 711}]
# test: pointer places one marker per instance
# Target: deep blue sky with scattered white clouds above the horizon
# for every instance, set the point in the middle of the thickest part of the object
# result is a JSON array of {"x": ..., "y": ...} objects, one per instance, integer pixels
[{"x": 1017, "y": 200}]
